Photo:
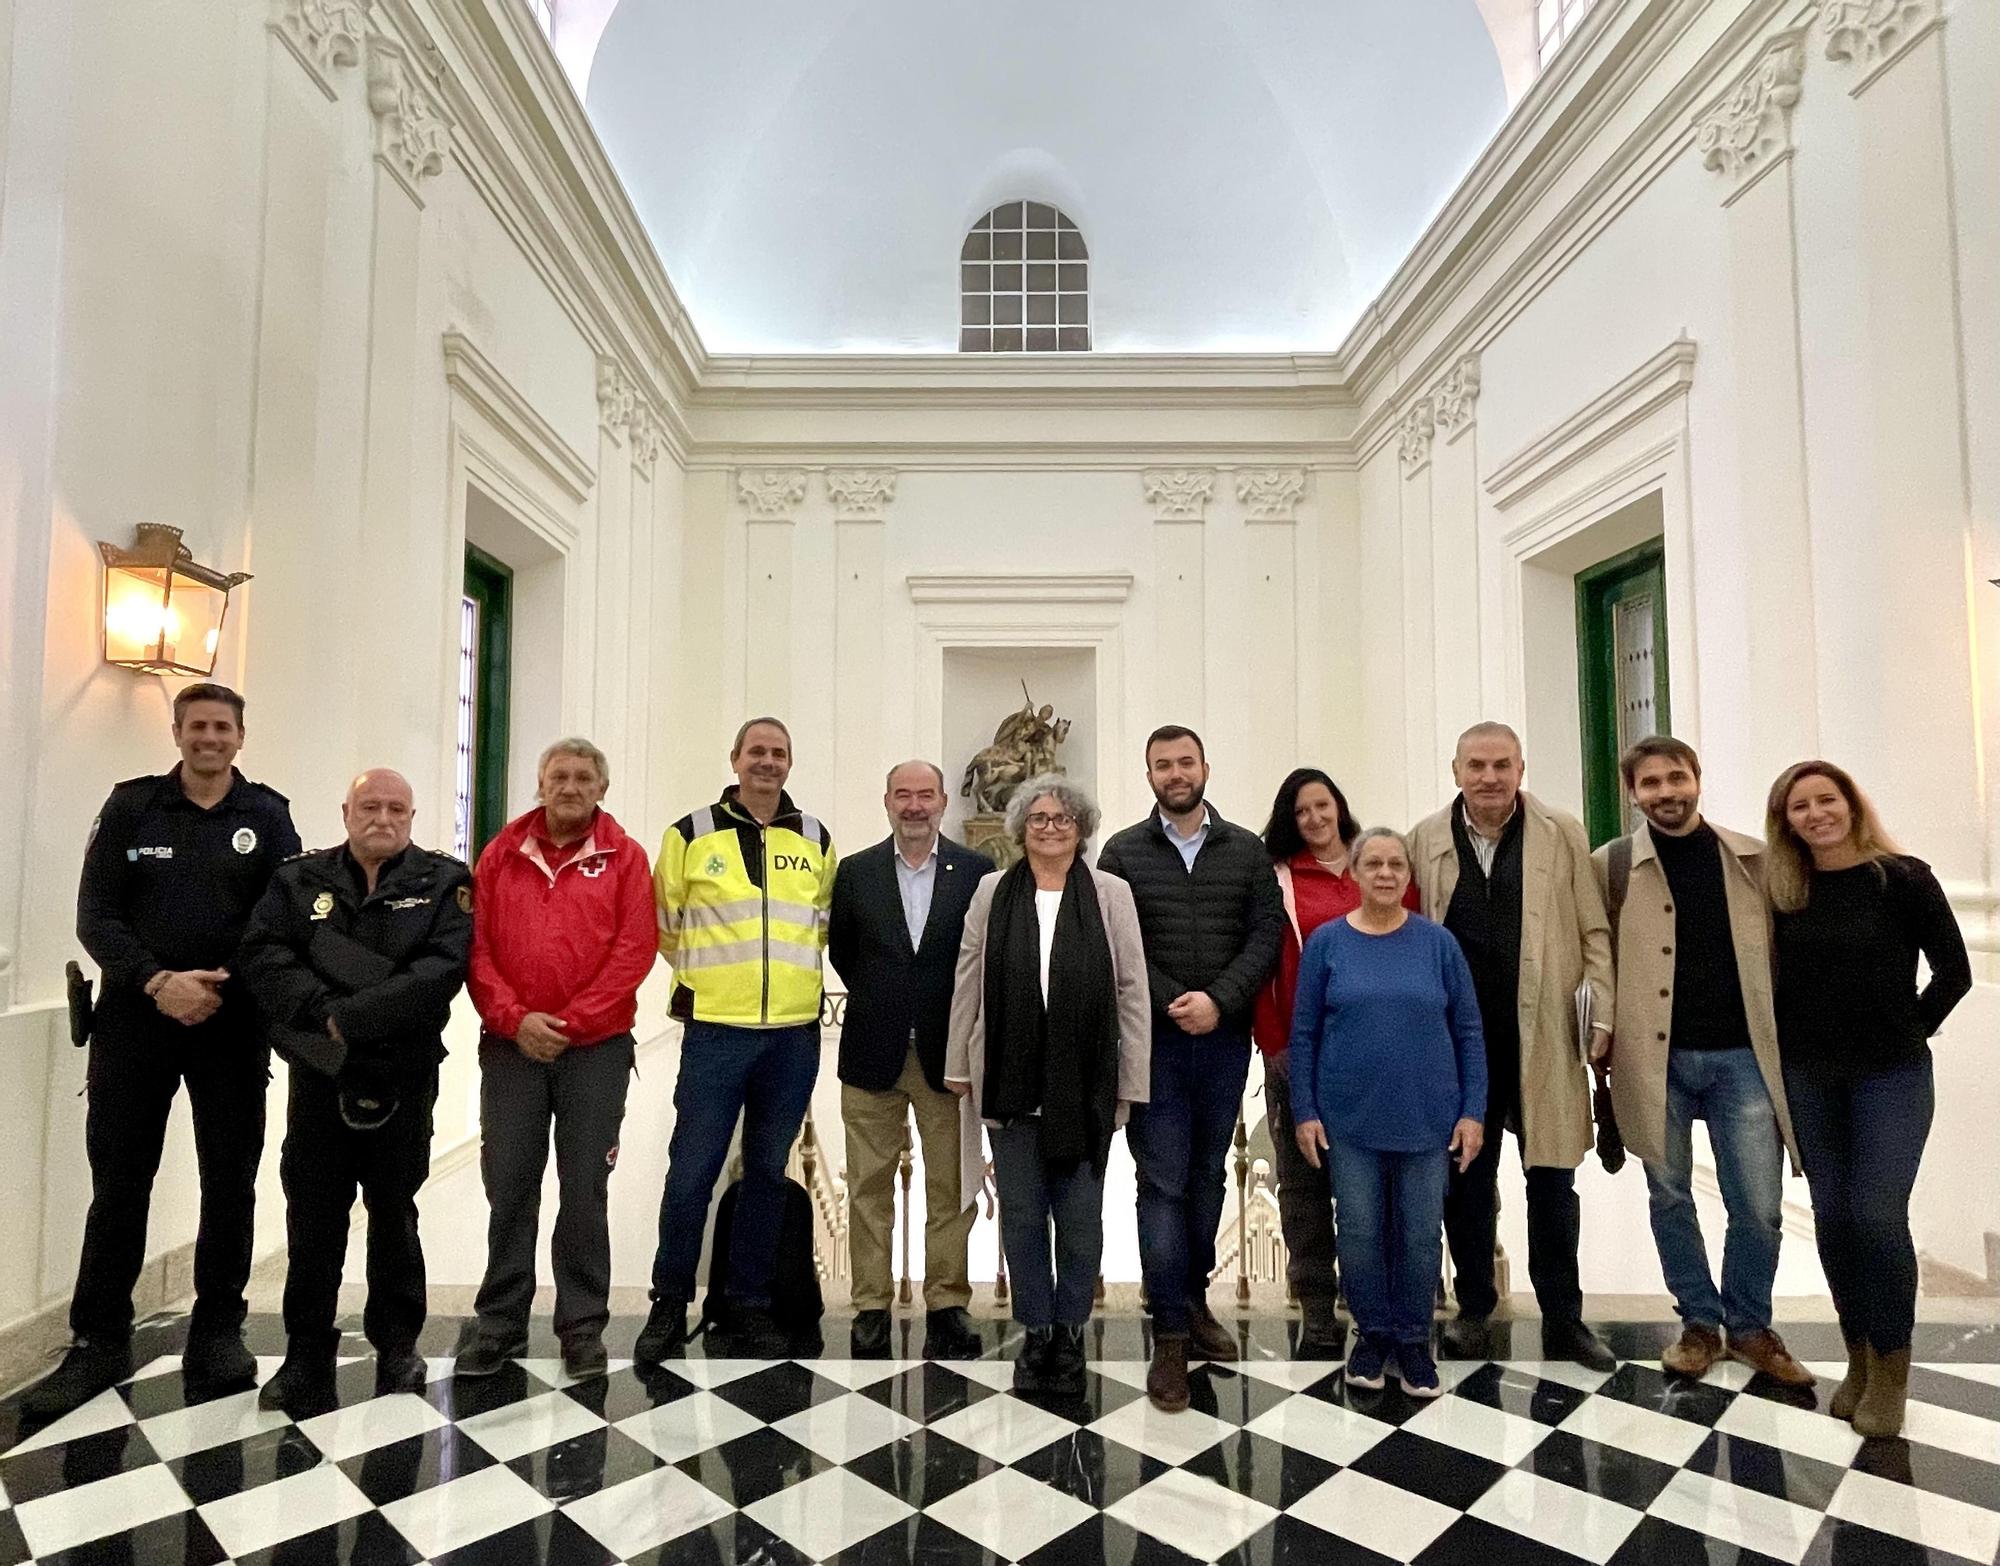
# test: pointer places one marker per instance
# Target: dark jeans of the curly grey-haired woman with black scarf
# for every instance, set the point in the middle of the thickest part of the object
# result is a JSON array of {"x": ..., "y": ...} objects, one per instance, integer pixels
[{"x": 1031, "y": 1199}]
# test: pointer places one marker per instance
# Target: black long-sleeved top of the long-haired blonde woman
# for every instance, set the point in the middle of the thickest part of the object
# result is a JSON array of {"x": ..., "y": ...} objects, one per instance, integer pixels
[{"x": 1847, "y": 967}]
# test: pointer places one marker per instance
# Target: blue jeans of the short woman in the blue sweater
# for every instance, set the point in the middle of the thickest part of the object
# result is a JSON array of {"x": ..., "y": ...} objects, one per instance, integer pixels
[{"x": 1391, "y": 1237}]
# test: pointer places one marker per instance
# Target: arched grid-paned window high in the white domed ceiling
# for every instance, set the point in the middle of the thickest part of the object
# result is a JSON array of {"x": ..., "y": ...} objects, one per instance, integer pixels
[{"x": 1025, "y": 283}]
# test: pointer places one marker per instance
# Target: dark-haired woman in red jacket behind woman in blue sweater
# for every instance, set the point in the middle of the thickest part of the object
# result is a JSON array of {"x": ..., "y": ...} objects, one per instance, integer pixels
[{"x": 1307, "y": 835}]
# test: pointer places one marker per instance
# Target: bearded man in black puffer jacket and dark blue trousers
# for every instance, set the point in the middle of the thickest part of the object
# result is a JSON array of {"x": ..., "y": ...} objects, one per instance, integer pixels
[{"x": 1213, "y": 919}]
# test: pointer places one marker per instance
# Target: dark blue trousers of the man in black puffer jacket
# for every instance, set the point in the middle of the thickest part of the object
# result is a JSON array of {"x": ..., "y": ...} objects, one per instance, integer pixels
[{"x": 1181, "y": 1143}]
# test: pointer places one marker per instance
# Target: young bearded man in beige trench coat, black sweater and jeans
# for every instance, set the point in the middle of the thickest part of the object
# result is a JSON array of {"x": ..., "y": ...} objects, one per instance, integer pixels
[{"x": 1697, "y": 1041}]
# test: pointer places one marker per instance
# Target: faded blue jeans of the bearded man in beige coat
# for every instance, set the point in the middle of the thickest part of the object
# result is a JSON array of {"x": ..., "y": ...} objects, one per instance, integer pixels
[{"x": 1727, "y": 1091}]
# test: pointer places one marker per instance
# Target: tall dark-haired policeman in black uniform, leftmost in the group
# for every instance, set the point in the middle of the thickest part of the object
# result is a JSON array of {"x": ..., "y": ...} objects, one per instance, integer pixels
[{"x": 173, "y": 869}]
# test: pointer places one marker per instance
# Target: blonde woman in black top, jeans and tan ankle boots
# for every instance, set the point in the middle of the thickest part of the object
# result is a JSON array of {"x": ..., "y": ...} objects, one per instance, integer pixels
[{"x": 1853, "y": 917}]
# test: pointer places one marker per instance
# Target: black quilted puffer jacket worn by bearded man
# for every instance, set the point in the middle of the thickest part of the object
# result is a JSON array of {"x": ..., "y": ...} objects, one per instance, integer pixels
[{"x": 1215, "y": 927}]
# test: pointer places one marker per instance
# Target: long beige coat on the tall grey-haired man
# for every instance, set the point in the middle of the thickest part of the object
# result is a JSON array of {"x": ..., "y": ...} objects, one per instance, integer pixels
[{"x": 1565, "y": 941}]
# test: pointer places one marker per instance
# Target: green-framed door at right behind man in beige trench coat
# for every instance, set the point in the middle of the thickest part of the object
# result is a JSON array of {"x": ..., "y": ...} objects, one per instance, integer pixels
[{"x": 1621, "y": 659}]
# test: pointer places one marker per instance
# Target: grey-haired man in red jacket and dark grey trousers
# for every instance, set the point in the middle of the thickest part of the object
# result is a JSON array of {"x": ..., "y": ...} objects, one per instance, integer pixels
[{"x": 563, "y": 935}]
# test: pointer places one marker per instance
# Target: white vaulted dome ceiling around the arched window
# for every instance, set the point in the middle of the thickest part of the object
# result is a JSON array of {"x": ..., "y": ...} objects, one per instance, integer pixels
[{"x": 1247, "y": 173}]
